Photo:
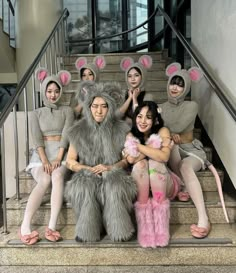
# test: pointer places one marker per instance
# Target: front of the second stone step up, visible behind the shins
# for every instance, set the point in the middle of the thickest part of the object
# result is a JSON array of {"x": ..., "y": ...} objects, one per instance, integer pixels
[{"x": 181, "y": 212}]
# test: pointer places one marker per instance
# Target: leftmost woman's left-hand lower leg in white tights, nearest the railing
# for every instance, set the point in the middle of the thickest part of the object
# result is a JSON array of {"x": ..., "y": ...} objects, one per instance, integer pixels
[{"x": 43, "y": 181}]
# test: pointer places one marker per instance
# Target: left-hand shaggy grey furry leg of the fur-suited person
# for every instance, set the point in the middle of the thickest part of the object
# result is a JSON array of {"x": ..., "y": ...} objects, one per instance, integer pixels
[{"x": 82, "y": 192}]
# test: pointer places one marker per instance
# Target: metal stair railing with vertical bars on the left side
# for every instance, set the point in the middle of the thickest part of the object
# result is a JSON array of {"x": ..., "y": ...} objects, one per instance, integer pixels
[{"x": 50, "y": 56}]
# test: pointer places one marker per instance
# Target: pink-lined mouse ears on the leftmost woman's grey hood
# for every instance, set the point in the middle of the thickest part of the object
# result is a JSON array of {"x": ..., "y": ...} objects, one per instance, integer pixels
[{"x": 64, "y": 76}]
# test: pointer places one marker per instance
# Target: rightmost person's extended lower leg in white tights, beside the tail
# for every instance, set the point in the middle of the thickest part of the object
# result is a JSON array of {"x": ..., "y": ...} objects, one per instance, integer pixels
[{"x": 188, "y": 167}]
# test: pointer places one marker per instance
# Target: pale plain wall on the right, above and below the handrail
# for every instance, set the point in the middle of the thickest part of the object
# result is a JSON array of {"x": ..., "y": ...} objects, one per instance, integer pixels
[{"x": 213, "y": 27}]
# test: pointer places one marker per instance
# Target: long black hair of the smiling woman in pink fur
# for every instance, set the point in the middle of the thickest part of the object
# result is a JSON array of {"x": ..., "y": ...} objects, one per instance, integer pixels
[{"x": 157, "y": 121}]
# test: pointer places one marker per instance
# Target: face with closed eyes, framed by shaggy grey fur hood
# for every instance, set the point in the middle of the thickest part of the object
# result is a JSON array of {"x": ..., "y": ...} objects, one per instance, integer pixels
[{"x": 99, "y": 109}]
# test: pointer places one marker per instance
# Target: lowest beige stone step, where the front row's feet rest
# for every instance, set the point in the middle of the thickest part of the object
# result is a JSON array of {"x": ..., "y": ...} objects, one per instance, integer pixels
[{"x": 218, "y": 249}]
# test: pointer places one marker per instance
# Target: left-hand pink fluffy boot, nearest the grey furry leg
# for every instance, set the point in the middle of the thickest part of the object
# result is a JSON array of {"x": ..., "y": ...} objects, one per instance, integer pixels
[{"x": 144, "y": 217}]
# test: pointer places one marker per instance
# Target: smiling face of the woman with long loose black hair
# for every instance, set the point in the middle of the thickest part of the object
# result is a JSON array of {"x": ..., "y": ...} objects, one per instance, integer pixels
[{"x": 144, "y": 120}]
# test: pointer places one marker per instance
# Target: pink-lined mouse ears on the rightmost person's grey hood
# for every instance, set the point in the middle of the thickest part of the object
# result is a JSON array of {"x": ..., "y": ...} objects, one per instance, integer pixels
[{"x": 194, "y": 72}]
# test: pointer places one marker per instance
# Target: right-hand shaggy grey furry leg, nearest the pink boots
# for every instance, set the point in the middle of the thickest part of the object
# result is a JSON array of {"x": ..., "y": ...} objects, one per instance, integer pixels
[{"x": 119, "y": 191}]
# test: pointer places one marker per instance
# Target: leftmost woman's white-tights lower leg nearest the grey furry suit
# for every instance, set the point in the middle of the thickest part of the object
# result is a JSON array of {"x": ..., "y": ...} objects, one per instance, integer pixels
[{"x": 58, "y": 176}]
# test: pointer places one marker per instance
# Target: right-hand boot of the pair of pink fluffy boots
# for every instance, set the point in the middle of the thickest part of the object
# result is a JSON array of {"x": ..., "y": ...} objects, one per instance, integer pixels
[{"x": 161, "y": 214}]
